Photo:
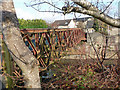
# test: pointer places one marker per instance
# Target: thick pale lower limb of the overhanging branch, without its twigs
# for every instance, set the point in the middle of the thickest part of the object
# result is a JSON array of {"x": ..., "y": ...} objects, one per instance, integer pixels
[{"x": 105, "y": 18}]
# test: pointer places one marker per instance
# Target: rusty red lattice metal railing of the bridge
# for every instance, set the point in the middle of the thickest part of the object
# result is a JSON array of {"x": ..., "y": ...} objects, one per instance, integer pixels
[{"x": 50, "y": 44}]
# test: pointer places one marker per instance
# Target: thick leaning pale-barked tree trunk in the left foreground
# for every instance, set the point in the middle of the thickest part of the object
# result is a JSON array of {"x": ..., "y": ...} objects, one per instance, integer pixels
[{"x": 17, "y": 48}]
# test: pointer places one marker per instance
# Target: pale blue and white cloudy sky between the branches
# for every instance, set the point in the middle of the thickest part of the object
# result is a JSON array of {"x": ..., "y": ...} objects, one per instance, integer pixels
[{"x": 29, "y": 13}]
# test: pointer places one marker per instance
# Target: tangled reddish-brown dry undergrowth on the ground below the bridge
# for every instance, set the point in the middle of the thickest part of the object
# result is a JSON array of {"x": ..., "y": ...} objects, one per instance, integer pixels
[{"x": 69, "y": 74}]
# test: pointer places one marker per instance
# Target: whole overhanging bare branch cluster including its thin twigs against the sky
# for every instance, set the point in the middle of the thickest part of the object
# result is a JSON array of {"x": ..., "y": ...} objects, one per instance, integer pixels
[{"x": 87, "y": 8}]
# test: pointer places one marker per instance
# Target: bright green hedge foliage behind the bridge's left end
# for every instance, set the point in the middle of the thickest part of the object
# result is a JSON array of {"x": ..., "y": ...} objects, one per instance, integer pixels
[{"x": 35, "y": 23}]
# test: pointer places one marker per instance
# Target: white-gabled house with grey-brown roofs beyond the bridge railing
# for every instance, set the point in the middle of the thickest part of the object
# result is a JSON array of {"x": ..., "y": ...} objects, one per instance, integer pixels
[{"x": 73, "y": 23}]
